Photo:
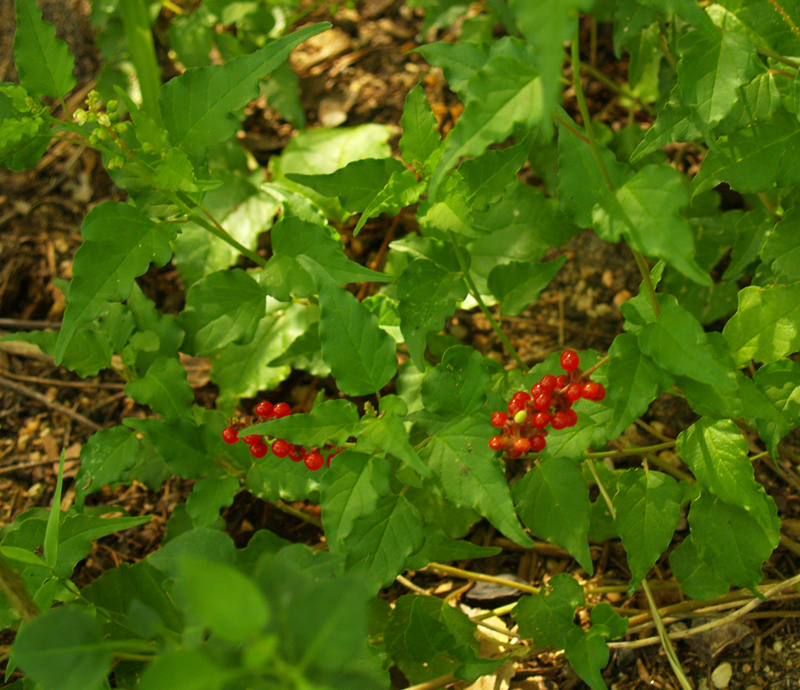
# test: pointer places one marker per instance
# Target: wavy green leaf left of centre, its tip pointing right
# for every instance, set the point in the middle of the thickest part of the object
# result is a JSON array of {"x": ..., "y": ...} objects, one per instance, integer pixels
[{"x": 293, "y": 237}]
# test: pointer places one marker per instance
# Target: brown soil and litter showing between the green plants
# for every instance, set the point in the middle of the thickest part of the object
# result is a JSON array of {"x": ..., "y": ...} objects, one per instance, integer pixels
[{"x": 360, "y": 74}]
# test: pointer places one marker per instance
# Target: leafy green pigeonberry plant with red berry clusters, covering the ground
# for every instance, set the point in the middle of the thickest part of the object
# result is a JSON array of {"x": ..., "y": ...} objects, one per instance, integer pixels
[{"x": 428, "y": 440}]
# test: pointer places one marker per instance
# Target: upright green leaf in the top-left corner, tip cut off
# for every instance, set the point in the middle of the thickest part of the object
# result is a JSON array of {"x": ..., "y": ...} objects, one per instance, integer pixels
[{"x": 43, "y": 61}]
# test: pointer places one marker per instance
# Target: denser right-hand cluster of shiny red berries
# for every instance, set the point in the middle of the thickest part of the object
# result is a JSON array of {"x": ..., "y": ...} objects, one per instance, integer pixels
[{"x": 548, "y": 404}]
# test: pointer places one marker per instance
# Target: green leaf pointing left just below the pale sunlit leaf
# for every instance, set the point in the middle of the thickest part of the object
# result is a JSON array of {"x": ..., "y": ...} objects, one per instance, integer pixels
[{"x": 356, "y": 184}]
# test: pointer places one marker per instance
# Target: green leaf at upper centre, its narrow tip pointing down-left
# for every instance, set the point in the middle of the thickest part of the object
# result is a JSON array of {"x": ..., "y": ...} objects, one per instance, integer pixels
[{"x": 504, "y": 93}]
